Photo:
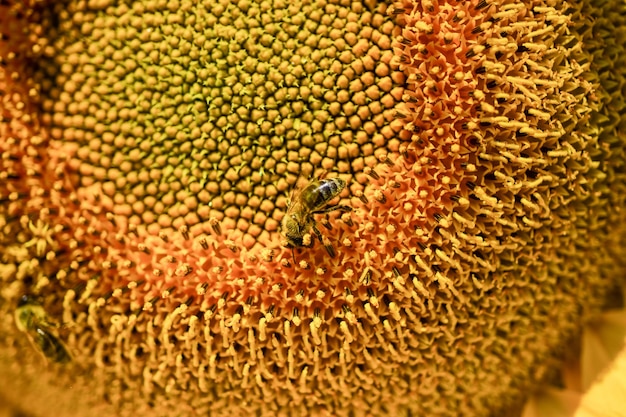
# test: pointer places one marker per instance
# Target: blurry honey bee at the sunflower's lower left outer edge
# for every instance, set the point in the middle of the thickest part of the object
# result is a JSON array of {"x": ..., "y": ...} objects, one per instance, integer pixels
[{"x": 31, "y": 319}]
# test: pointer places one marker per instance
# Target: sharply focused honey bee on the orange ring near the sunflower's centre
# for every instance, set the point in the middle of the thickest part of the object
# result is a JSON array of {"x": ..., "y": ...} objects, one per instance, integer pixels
[{"x": 305, "y": 202}]
